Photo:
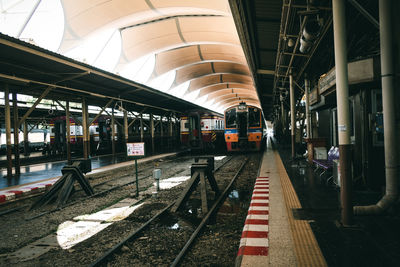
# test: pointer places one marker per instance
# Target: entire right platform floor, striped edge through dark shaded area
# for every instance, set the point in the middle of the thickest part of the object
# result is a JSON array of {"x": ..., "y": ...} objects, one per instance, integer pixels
[{"x": 302, "y": 226}]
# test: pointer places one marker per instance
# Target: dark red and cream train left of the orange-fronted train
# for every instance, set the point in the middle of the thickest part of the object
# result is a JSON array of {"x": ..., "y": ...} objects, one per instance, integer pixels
[{"x": 202, "y": 130}]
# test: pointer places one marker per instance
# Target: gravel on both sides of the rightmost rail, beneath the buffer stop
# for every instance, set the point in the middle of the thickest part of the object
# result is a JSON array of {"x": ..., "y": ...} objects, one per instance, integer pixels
[{"x": 161, "y": 242}]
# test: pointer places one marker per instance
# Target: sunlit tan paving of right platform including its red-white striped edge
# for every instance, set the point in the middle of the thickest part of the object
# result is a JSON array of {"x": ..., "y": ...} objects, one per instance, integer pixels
[{"x": 271, "y": 235}]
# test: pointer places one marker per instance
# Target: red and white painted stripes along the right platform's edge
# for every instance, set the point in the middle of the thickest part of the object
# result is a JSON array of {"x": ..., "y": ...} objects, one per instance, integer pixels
[{"x": 254, "y": 241}]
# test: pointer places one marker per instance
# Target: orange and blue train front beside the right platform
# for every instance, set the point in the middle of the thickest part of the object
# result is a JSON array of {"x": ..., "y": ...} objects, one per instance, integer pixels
[{"x": 244, "y": 128}]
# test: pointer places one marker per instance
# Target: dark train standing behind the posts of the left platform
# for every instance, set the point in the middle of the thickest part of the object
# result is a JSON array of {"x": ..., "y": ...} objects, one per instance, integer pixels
[{"x": 101, "y": 135}]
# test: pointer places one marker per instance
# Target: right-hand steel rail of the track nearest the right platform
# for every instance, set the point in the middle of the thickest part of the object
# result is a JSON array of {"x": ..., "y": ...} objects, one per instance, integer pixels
[{"x": 207, "y": 217}]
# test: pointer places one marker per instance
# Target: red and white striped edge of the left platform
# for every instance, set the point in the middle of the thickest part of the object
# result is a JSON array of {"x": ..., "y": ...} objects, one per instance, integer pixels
[{"x": 10, "y": 194}]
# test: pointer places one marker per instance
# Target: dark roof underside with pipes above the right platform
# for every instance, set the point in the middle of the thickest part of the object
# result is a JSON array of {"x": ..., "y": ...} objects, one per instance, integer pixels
[{"x": 280, "y": 37}]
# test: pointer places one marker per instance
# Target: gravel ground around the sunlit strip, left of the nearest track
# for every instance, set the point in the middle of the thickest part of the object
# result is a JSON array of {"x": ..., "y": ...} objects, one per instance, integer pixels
[{"x": 18, "y": 232}]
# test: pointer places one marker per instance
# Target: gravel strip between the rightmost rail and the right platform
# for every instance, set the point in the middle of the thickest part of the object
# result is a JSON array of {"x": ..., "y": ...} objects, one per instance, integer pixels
[{"x": 219, "y": 243}]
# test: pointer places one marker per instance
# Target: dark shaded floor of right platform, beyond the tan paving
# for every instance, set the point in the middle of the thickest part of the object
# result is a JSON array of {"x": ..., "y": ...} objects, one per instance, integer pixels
[{"x": 372, "y": 241}]
